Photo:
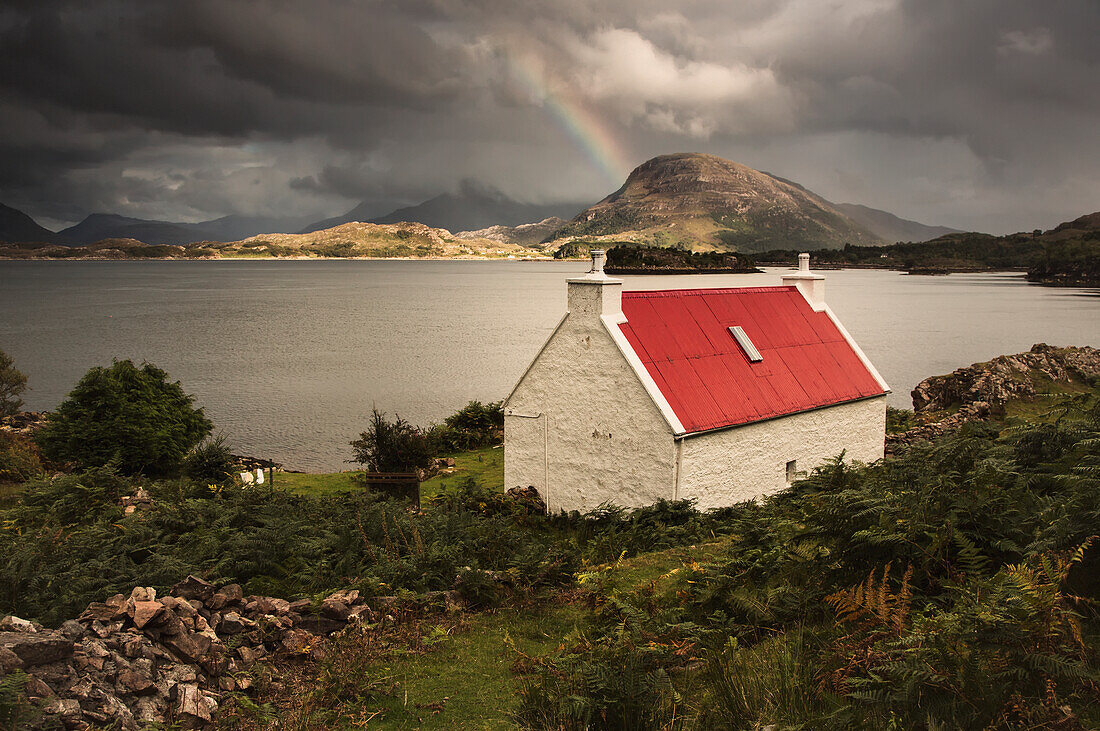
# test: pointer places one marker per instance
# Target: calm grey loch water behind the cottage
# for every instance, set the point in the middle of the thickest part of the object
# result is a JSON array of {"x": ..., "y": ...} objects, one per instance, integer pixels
[{"x": 288, "y": 358}]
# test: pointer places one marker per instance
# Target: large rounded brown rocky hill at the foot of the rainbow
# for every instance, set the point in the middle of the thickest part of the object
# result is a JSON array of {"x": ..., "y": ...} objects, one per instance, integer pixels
[{"x": 708, "y": 203}]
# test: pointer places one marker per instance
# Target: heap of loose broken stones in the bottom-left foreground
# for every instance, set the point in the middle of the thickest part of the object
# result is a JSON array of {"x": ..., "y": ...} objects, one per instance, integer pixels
[{"x": 144, "y": 659}]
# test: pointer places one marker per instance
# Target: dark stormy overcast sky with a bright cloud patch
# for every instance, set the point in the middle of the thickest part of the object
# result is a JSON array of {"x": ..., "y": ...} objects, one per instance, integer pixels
[{"x": 980, "y": 115}]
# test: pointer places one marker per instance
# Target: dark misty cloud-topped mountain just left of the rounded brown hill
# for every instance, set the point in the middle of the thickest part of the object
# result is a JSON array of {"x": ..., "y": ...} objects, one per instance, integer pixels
[{"x": 474, "y": 207}]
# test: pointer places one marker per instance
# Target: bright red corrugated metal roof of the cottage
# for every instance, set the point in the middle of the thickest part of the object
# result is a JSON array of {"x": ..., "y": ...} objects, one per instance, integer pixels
[{"x": 684, "y": 339}]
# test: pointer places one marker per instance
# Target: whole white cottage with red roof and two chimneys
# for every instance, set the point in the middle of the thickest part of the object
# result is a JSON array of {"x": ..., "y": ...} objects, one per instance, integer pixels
[{"x": 714, "y": 395}]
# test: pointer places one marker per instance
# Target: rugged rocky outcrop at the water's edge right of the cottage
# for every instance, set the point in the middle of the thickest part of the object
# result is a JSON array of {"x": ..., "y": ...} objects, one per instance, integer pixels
[{"x": 984, "y": 387}]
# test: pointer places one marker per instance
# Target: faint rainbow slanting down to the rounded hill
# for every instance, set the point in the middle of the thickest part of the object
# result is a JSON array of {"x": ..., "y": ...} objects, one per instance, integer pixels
[{"x": 588, "y": 131}]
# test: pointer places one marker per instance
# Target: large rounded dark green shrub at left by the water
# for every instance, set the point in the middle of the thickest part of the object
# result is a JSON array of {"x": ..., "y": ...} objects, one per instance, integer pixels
[{"x": 128, "y": 416}]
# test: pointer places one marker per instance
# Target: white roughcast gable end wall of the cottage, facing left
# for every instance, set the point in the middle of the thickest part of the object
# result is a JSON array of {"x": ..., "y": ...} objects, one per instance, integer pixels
[{"x": 580, "y": 427}]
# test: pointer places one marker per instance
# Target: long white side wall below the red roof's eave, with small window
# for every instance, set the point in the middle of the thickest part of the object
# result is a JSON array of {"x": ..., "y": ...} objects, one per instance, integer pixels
[{"x": 724, "y": 468}]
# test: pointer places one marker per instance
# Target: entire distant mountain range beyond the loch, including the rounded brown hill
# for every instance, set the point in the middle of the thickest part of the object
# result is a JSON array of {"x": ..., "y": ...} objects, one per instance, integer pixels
[{"x": 701, "y": 202}]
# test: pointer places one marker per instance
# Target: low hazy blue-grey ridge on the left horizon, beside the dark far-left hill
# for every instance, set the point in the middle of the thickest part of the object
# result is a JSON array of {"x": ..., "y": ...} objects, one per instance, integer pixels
[{"x": 229, "y": 228}]
